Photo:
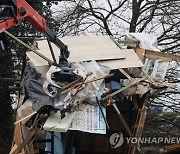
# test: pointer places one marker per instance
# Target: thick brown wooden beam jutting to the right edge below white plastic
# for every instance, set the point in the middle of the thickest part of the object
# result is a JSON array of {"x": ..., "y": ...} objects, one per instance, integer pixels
[{"x": 162, "y": 56}]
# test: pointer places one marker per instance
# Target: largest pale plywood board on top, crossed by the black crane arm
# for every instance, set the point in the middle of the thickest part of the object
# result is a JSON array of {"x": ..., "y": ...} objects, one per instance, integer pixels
[{"x": 85, "y": 48}]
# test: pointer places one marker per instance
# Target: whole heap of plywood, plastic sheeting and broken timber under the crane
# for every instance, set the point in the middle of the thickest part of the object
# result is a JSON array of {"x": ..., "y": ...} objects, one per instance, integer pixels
[{"x": 54, "y": 102}]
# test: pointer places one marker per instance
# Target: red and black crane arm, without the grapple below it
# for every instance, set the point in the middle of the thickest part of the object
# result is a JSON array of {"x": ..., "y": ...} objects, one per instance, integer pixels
[{"x": 20, "y": 9}]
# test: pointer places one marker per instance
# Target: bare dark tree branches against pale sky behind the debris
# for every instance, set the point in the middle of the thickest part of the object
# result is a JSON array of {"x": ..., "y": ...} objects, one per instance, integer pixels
[{"x": 118, "y": 17}]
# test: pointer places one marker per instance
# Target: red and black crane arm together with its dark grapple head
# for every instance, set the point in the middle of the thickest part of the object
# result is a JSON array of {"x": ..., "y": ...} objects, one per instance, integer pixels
[{"x": 13, "y": 11}]
